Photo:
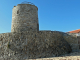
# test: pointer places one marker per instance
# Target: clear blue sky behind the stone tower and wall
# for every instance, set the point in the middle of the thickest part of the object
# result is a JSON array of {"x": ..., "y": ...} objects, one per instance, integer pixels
[{"x": 59, "y": 15}]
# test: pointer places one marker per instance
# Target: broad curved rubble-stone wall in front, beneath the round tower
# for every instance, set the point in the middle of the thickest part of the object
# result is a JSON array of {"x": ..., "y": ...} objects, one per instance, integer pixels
[{"x": 29, "y": 45}]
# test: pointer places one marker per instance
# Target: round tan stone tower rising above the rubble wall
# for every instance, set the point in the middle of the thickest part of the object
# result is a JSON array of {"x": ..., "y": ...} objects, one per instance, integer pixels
[{"x": 24, "y": 18}]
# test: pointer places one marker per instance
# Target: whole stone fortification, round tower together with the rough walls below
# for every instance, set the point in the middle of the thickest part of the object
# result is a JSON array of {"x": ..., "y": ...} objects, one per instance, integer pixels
[{"x": 25, "y": 41}]
